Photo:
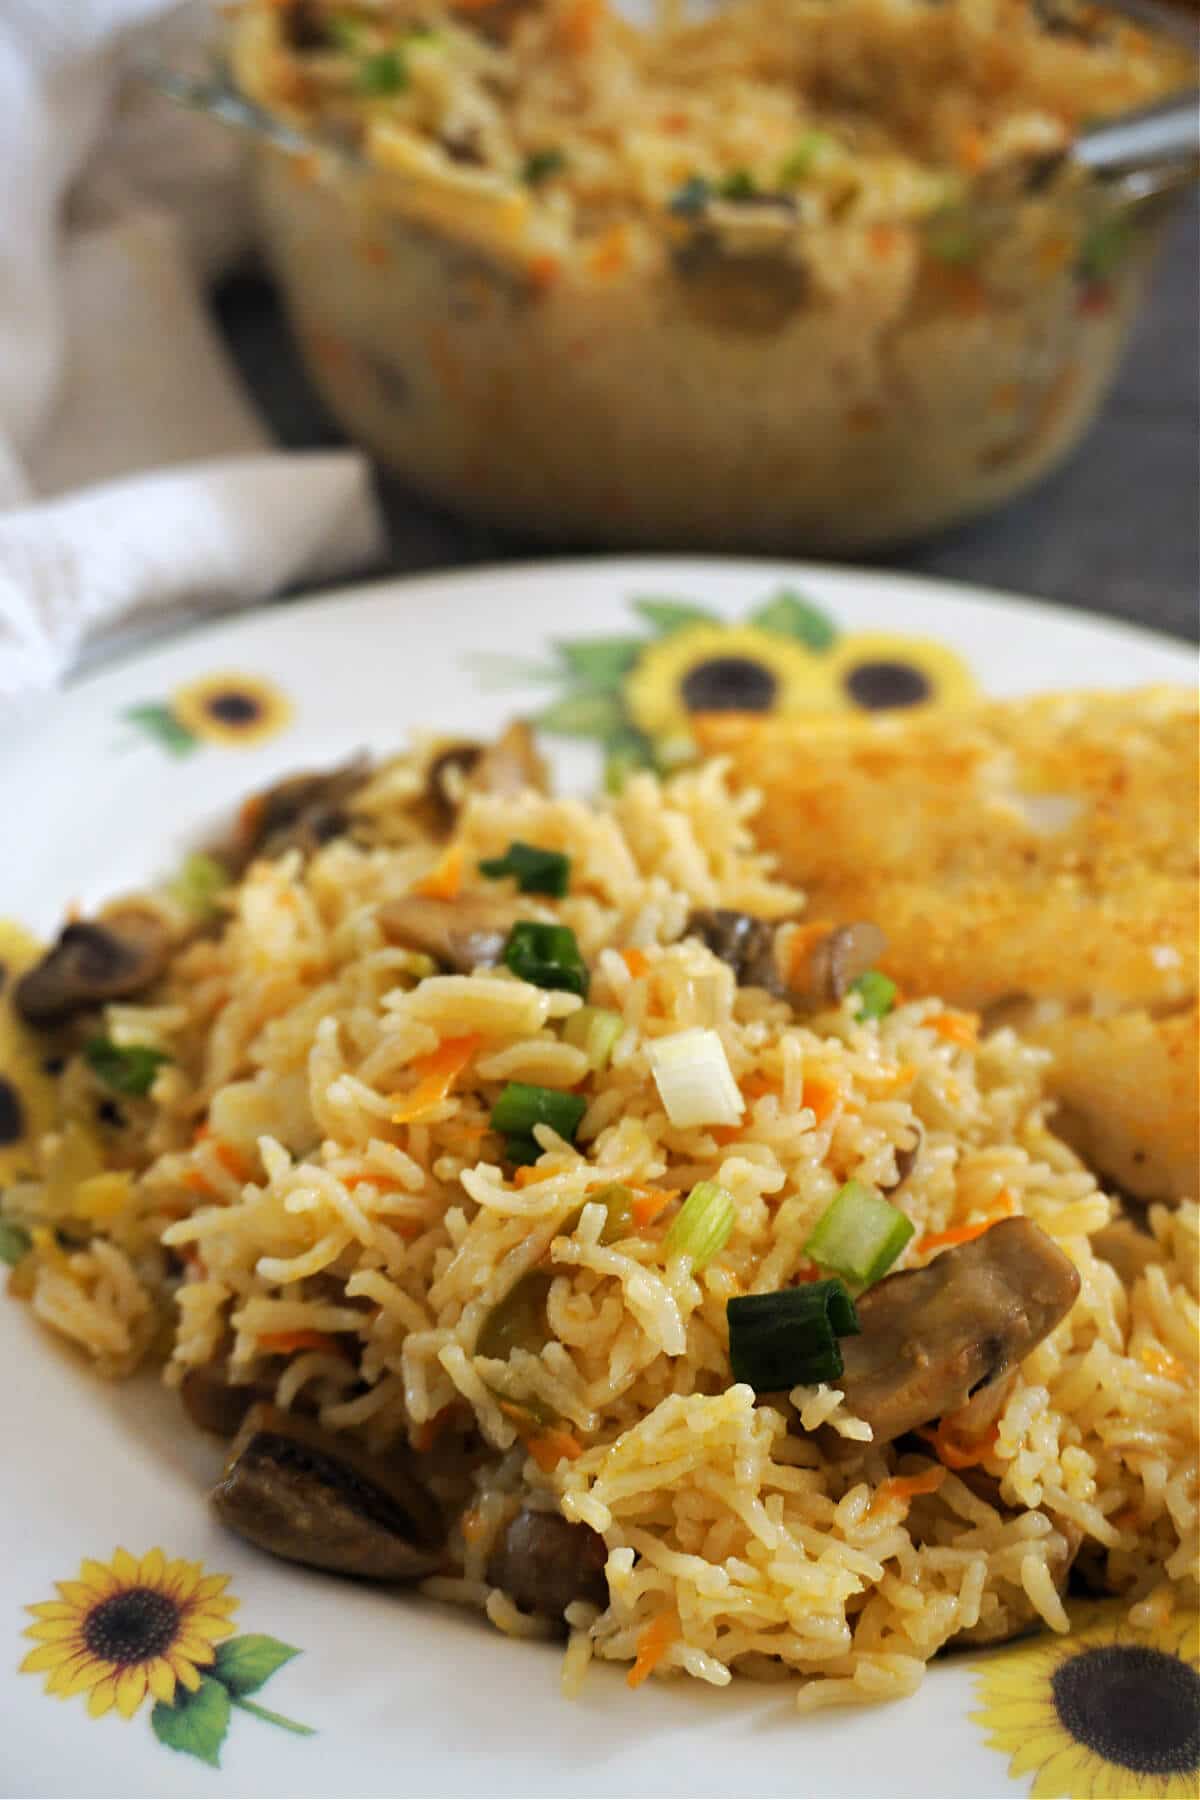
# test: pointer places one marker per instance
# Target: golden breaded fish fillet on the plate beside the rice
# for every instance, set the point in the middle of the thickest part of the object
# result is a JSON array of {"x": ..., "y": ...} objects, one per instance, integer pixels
[{"x": 1034, "y": 850}]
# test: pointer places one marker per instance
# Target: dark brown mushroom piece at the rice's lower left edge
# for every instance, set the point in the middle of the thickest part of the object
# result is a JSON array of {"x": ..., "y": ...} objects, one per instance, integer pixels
[{"x": 310, "y": 1497}]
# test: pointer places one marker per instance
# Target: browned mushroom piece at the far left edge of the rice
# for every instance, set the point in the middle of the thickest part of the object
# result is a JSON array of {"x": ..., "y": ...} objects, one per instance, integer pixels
[{"x": 94, "y": 962}]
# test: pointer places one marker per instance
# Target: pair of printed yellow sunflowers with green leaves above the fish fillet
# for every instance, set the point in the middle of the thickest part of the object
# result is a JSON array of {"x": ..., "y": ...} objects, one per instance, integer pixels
[{"x": 636, "y": 696}]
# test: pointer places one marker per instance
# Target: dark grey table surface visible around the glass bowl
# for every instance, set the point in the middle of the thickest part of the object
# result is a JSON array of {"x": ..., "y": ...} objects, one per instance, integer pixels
[{"x": 1116, "y": 530}]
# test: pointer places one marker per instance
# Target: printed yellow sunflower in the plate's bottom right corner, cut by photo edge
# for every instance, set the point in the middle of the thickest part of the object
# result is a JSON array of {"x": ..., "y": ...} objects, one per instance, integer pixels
[{"x": 1111, "y": 1713}]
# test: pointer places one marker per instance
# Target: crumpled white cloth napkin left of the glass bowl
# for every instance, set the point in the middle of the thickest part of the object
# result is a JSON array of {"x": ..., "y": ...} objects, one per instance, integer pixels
[{"x": 136, "y": 480}]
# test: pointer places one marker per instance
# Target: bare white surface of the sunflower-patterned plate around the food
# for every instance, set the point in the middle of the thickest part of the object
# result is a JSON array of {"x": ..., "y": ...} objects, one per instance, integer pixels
[{"x": 406, "y": 1696}]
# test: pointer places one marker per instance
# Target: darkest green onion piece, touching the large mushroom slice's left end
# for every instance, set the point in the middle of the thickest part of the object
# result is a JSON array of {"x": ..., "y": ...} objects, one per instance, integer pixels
[{"x": 793, "y": 1338}]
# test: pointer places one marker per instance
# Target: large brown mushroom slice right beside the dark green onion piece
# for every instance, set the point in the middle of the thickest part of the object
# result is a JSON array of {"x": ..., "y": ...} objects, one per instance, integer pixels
[{"x": 936, "y": 1338}]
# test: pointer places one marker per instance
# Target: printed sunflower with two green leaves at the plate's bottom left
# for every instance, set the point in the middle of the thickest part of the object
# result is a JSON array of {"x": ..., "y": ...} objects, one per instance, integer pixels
[{"x": 157, "y": 1628}]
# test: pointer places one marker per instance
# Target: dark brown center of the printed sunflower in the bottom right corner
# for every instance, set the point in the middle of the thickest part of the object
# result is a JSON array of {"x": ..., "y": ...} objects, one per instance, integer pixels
[{"x": 1134, "y": 1707}]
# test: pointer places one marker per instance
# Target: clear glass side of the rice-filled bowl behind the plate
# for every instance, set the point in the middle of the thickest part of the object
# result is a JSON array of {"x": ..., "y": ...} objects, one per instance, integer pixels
[{"x": 717, "y": 397}]
